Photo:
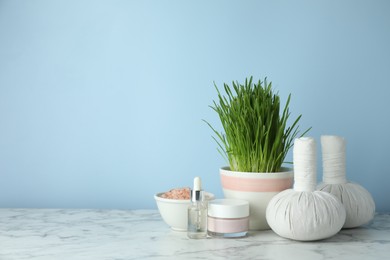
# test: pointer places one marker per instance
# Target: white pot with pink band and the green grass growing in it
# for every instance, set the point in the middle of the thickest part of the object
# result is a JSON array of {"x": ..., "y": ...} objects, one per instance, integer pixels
[{"x": 255, "y": 142}]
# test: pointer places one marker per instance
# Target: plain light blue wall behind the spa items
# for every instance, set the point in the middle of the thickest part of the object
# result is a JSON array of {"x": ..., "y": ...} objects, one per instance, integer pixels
[{"x": 101, "y": 101}]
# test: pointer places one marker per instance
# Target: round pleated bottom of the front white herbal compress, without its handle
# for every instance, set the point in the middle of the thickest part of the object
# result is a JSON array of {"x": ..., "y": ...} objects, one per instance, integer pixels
[{"x": 305, "y": 216}]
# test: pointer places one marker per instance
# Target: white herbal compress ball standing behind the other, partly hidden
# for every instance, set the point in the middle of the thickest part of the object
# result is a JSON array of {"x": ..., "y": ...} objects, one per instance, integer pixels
[{"x": 358, "y": 202}]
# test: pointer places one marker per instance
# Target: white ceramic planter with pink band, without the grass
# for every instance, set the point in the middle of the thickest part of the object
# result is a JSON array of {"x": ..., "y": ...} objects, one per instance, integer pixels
[{"x": 256, "y": 188}]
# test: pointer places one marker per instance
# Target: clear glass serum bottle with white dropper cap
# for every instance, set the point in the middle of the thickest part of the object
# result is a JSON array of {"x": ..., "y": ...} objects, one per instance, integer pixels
[{"x": 197, "y": 212}]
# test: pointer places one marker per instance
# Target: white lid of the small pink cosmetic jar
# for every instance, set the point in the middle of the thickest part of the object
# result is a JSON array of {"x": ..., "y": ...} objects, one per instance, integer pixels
[{"x": 228, "y": 208}]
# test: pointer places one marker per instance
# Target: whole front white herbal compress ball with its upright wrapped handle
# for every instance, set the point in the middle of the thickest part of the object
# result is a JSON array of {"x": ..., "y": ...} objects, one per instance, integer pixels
[{"x": 303, "y": 213}]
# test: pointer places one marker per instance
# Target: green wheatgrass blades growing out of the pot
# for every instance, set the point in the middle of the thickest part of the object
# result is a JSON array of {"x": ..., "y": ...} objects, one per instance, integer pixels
[{"x": 256, "y": 137}]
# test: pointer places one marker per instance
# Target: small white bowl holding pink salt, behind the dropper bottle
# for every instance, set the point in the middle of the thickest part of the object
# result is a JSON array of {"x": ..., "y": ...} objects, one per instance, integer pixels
[{"x": 175, "y": 212}]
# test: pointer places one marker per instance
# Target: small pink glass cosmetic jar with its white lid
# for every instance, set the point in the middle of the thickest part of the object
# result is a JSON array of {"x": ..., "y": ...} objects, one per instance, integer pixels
[{"x": 228, "y": 218}]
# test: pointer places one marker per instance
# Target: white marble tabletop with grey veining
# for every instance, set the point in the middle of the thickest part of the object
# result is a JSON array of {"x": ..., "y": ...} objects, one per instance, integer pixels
[{"x": 141, "y": 234}]
